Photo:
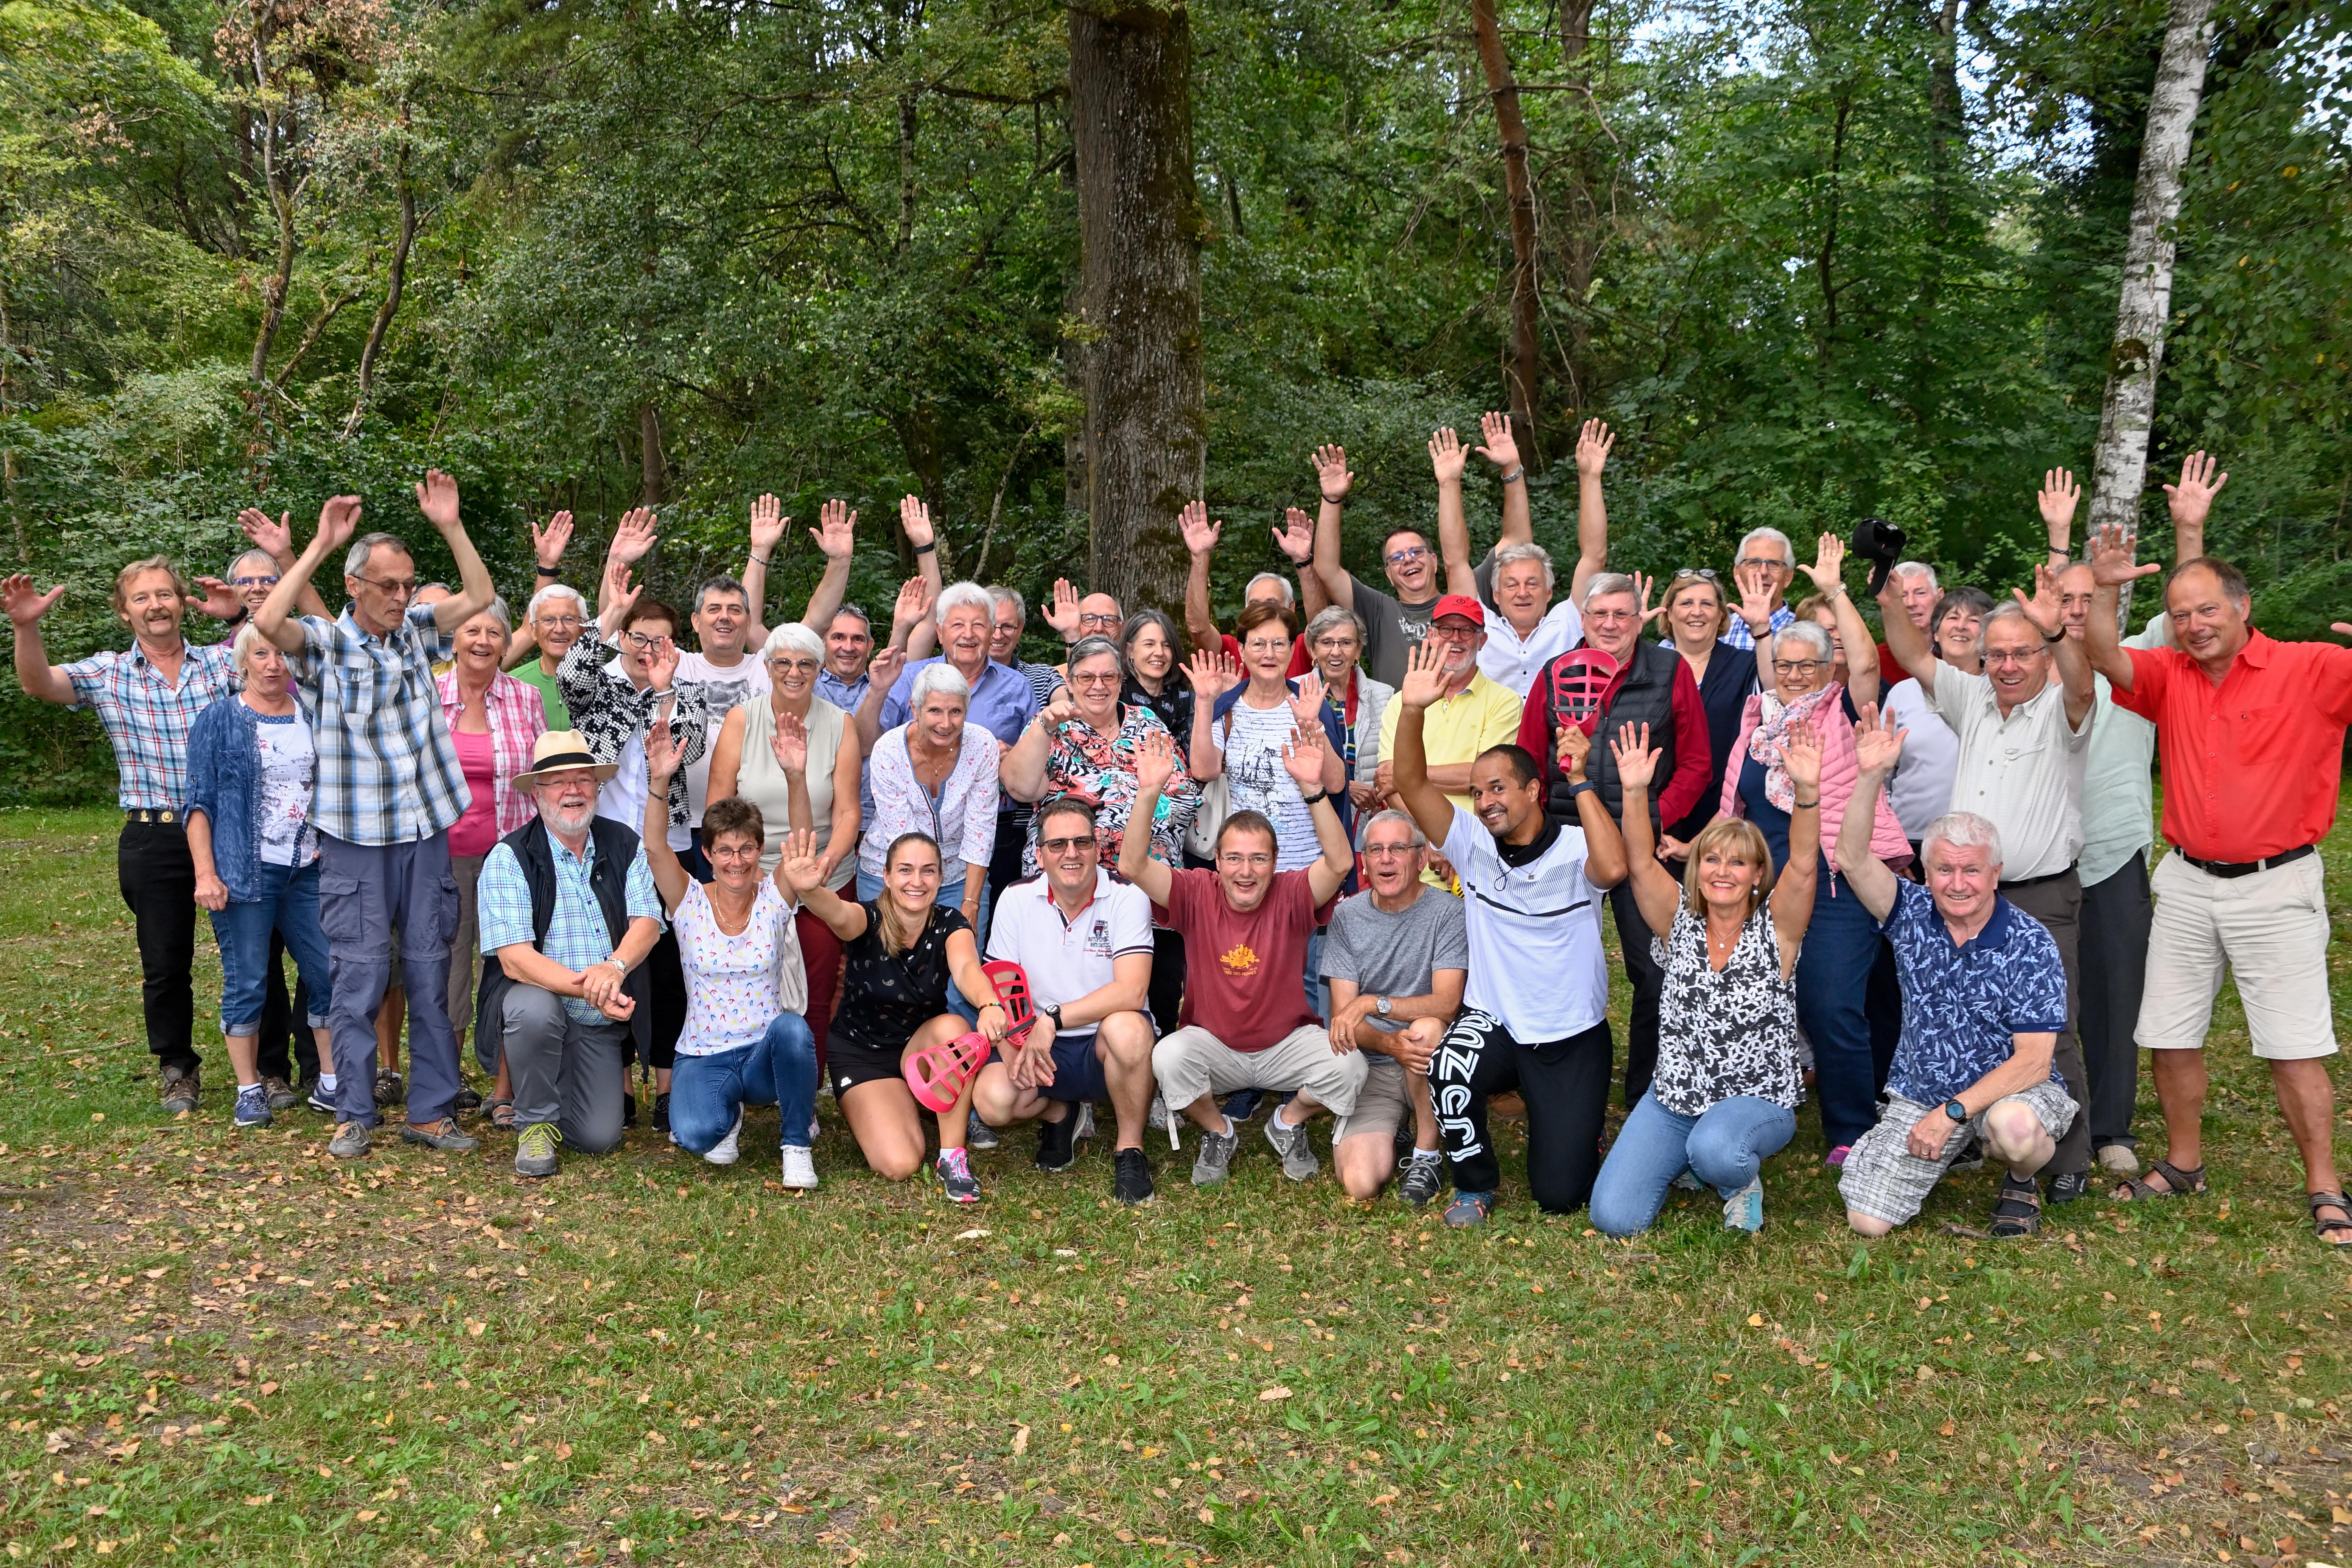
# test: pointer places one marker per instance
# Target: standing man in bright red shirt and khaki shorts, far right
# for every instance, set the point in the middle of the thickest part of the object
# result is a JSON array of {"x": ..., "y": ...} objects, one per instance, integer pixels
[{"x": 2252, "y": 742}]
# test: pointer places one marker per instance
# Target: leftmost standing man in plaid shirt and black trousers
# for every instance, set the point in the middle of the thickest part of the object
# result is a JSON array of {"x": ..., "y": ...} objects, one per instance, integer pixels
[{"x": 147, "y": 699}]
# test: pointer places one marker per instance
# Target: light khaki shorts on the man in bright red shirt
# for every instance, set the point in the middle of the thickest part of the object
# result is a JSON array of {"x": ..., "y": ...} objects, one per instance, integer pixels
[{"x": 2269, "y": 930}]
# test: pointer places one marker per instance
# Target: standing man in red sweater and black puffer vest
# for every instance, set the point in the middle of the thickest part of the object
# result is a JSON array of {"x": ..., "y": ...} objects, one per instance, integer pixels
[{"x": 1652, "y": 688}]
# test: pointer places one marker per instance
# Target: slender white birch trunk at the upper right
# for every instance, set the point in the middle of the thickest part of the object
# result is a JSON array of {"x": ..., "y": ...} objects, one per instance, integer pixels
[{"x": 2120, "y": 460}]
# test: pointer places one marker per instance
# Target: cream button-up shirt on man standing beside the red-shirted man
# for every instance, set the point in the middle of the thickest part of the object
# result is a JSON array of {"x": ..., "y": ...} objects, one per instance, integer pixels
[{"x": 2024, "y": 772}]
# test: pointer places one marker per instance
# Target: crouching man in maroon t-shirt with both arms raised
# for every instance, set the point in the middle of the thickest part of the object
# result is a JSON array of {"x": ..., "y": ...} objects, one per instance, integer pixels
[{"x": 1245, "y": 1017}]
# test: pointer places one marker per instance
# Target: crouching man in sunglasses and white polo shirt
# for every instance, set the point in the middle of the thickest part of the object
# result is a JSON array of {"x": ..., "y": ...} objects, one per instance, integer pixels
[{"x": 1085, "y": 946}]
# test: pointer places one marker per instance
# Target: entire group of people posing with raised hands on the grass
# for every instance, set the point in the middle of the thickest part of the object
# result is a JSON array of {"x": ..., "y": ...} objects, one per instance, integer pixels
[{"x": 1349, "y": 857}]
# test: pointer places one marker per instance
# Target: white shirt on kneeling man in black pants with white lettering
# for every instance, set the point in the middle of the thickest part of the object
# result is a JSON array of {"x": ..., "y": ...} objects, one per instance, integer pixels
[{"x": 1535, "y": 934}]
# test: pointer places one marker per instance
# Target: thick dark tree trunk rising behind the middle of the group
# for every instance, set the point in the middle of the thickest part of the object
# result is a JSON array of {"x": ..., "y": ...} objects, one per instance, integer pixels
[{"x": 1140, "y": 229}]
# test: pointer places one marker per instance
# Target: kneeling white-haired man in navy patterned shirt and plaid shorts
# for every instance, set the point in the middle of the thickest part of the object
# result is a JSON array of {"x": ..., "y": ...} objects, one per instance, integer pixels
[{"x": 1984, "y": 1000}]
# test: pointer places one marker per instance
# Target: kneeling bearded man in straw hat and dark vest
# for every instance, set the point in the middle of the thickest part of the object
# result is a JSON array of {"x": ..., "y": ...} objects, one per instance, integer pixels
[{"x": 568, "y": 911}]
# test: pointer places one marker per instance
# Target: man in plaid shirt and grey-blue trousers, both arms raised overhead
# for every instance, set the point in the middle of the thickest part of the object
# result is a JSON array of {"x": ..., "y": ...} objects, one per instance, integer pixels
[{"x": 389, "y": 786}]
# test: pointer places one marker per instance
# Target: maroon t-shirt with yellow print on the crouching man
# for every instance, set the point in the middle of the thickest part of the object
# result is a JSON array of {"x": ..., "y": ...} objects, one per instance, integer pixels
[{"x": 1245, "y": 972}]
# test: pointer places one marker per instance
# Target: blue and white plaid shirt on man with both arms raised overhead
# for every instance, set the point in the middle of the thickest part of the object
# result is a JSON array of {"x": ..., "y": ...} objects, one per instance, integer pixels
[{"x": 387, "y": 768}]
